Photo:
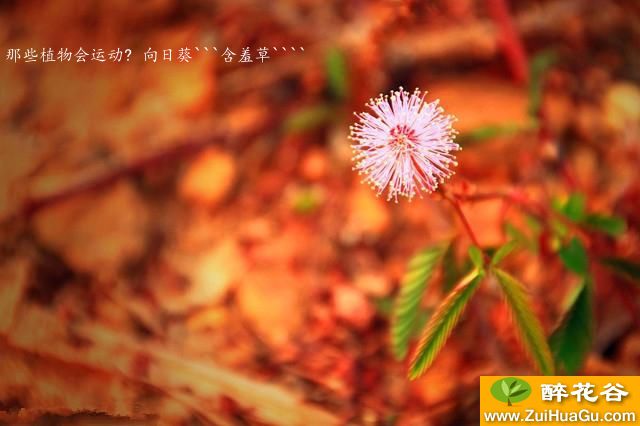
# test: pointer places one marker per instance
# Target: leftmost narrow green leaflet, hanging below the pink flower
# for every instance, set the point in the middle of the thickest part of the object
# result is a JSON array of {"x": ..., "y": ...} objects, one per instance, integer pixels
[{"x": 419, "y": 270}]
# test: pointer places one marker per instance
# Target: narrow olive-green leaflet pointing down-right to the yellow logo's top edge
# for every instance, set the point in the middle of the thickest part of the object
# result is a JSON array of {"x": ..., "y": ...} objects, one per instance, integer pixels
[{"x": 530, "y": 329}]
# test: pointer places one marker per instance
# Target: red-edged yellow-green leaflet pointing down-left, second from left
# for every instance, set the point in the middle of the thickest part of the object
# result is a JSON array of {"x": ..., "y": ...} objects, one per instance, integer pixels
[{"x": 441, "y": 323}]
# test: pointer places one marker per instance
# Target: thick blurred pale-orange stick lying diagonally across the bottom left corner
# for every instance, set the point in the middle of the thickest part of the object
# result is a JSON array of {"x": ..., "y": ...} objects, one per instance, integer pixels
[{"x": 197, "y": 383}]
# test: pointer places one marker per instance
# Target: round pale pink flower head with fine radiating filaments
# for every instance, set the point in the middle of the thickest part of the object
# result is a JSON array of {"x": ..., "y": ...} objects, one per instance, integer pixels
[{"x": 405, "y": 146}]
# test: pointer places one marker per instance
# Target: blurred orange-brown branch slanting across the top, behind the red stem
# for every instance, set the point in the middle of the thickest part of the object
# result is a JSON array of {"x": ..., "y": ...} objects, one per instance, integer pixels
[{"x": 475, "y": 41}]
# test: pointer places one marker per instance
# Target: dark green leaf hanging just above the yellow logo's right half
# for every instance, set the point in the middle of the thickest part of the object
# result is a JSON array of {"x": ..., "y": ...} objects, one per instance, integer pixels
[{"x": 572, "y": 340}]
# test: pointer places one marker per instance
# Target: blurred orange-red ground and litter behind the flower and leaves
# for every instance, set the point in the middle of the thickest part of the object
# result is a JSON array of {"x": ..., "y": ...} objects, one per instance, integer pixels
[{"x": 186, "y": 242}]
